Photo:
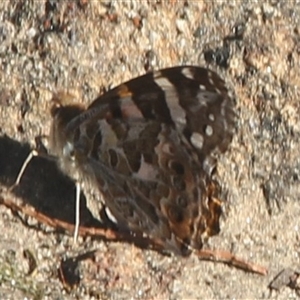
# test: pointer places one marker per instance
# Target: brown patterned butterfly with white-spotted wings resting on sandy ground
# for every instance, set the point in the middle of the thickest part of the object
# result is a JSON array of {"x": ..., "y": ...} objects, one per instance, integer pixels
[{"x": 149, "y": 147}]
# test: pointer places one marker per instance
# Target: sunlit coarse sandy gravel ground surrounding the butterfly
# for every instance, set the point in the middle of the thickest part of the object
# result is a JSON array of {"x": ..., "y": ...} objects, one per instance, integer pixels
[{"x": 86, "y": 47}]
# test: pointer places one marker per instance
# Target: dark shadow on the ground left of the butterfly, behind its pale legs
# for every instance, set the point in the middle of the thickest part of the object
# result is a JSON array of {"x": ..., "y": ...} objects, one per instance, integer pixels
[{"x": 43, "y": 185}]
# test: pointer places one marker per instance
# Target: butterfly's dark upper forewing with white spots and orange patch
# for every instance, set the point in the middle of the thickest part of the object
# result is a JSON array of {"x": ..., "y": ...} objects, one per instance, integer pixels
[{"x": 194, "y": 100}]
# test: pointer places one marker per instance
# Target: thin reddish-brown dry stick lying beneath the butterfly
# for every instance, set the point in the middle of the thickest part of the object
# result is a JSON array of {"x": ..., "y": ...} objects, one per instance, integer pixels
[{"x": 109, "y": 234}]
